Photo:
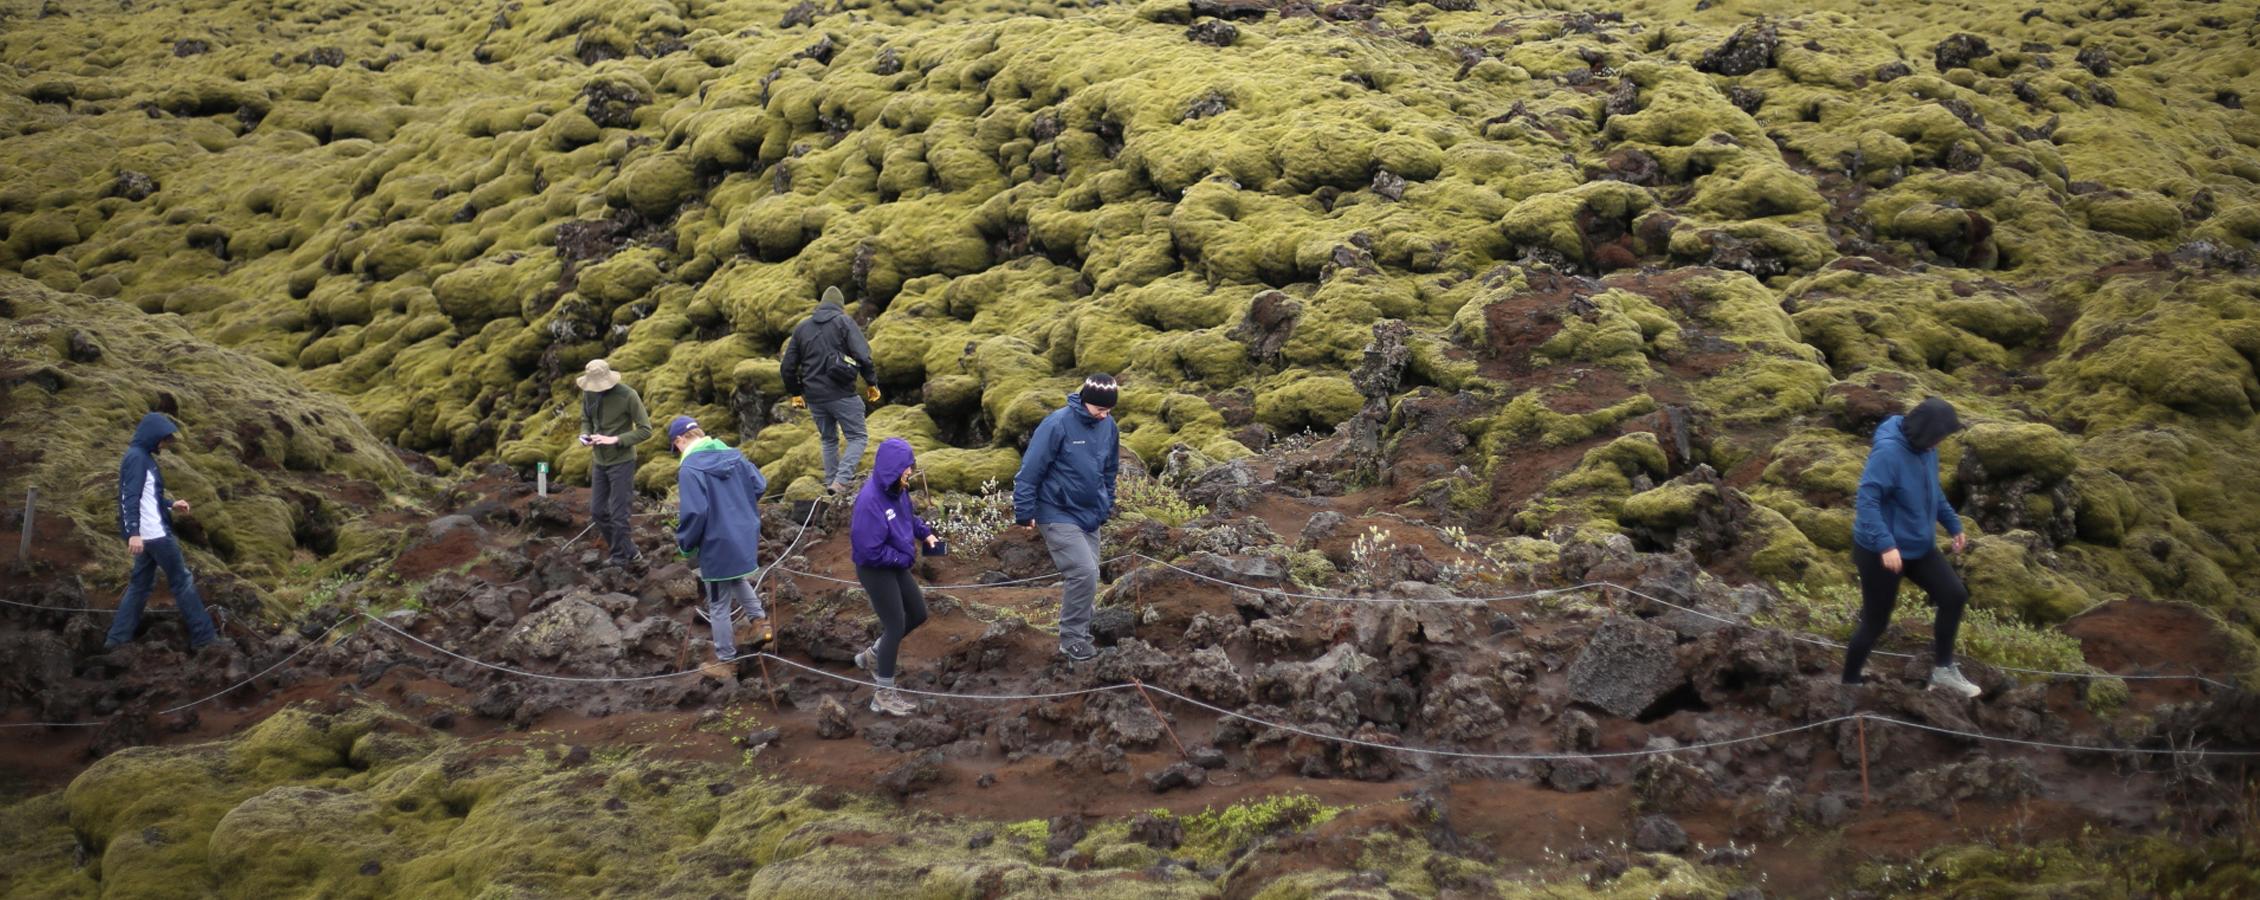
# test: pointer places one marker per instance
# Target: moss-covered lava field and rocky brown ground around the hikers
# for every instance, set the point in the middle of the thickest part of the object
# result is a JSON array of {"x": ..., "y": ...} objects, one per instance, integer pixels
[{"x": 1438, "y": 300}]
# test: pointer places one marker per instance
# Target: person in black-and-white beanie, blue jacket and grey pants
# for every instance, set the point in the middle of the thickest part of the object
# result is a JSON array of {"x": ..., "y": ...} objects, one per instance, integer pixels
[{"x": 1066, "y": 492}]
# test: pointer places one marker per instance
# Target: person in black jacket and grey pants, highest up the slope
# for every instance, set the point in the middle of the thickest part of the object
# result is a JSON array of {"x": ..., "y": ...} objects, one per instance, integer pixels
[{"x": 822, "y": 365}]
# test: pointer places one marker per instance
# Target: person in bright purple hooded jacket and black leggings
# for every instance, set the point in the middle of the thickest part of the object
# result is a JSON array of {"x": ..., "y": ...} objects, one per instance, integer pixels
[{"x": 885, "y": 539}]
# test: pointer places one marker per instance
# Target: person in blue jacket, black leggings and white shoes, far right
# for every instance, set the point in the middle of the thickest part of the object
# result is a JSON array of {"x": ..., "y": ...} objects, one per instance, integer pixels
[{"x": 1895, "y": 537}]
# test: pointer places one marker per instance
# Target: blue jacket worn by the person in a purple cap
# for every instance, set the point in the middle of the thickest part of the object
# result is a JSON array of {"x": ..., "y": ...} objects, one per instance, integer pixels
[{"x": 720, "y": 519}]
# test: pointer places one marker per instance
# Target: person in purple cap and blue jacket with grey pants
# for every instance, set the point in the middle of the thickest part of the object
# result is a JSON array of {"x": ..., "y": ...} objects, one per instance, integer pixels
[{"x": 722, "y": 526}]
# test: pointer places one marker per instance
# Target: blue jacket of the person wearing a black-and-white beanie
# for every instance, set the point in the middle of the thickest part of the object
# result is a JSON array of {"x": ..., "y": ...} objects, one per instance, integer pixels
[{"x": 1068, "y": 474}]
